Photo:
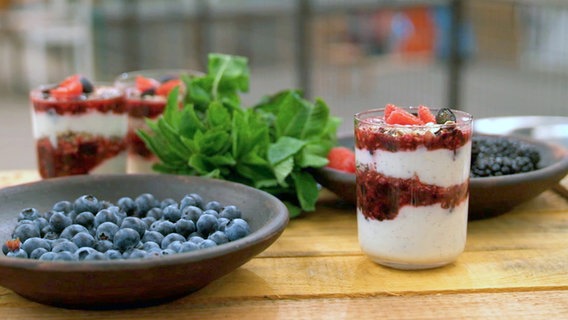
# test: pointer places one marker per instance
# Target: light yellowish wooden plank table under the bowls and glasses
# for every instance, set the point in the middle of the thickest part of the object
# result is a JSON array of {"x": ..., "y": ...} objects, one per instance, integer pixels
[{"x": 515, "y": 267}]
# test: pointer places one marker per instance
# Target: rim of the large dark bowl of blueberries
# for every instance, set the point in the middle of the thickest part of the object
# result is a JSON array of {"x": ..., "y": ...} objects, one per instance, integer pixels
[{"x": 274, "y": 226}]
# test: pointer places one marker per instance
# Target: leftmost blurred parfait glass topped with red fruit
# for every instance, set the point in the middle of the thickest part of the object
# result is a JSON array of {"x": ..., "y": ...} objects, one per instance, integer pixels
[{"x": 79, "y": 128}]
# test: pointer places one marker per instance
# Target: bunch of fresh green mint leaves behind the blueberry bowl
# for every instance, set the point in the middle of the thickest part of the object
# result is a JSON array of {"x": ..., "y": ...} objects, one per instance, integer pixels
[{"x": 271, "y": 146}]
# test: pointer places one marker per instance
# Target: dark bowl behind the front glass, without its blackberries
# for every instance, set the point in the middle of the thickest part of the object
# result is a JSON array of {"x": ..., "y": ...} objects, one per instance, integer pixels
[{"x": 489, "y": 197}]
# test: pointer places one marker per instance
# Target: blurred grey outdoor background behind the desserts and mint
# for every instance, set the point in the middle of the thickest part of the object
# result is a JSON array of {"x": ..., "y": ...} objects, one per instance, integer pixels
[{"x": 488, "y": 57}]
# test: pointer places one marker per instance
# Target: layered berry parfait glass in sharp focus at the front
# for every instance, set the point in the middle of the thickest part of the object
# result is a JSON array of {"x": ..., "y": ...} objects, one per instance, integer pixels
[{"x": 412, "y": 185}]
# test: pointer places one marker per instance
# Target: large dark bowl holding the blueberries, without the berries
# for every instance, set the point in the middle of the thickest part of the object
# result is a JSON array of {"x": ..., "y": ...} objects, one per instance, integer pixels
[{"x": 136, "y": 282}]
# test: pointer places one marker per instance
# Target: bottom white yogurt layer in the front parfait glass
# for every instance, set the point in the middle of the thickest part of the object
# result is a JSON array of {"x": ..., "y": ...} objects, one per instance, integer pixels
[{"x": 418, "y": 237}]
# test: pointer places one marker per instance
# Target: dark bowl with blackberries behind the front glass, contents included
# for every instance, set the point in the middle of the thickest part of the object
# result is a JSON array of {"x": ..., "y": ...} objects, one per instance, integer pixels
[{"x": 506, "y": 171}]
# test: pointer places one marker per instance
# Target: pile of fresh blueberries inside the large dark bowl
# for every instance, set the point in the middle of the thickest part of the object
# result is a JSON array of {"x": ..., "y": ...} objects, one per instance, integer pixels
[{"x": 92, "y": 229}]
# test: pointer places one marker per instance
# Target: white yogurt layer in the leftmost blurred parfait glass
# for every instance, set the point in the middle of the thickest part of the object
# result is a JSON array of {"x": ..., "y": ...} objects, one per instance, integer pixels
[{"x": 49, "y": 124}]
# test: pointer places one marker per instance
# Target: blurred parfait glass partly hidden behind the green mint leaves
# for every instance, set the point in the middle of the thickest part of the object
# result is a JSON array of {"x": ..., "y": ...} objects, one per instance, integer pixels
[{"x": 146, "y": 94}]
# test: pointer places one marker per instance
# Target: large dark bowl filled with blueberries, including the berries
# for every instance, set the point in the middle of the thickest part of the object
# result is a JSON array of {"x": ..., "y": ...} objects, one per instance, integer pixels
[{"x": 120, "y": 241}]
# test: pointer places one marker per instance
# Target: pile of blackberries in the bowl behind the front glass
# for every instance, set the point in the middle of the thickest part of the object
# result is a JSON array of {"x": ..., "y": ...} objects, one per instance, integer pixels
[{"x": 498, "y": 156}]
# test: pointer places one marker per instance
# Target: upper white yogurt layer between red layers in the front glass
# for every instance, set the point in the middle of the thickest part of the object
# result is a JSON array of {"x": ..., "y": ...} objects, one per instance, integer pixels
[{"x": 441, "y": 167}]
